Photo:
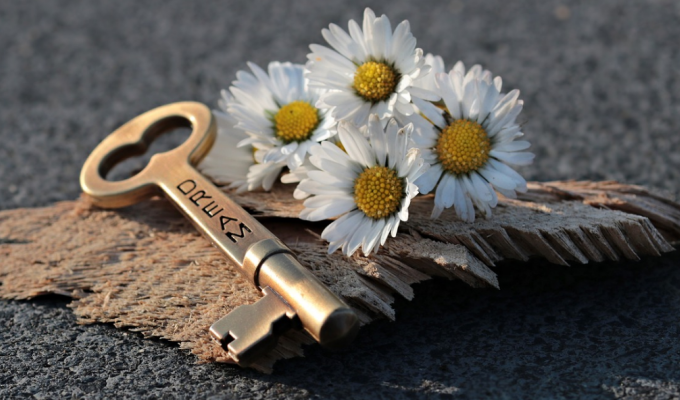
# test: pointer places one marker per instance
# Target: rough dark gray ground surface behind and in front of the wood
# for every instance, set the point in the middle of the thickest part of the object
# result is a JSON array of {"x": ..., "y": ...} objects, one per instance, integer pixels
[{"x": 601, "y": 85}]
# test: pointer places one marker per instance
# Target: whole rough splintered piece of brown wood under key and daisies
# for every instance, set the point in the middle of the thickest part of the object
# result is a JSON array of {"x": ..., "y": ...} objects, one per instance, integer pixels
[{"x": 145, "y": 267}]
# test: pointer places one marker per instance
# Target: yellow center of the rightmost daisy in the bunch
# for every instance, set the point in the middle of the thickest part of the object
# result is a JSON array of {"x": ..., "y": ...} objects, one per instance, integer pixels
[{"x": 463, "y": 147}]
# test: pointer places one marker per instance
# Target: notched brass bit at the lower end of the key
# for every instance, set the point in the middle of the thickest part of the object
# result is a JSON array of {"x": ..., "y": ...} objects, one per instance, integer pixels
[{"x": 252, "y": 330}]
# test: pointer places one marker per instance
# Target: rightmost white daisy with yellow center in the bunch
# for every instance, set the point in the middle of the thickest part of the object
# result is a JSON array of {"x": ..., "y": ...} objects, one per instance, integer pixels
[{"x": 471, "y": 143}]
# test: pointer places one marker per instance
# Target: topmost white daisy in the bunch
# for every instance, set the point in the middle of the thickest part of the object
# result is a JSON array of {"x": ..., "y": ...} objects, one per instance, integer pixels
[{"x": 368, "y": 71}]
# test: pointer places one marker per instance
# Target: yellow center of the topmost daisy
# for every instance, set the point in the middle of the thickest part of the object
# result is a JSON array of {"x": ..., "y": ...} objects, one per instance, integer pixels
[{"x": 375, "y": 81}]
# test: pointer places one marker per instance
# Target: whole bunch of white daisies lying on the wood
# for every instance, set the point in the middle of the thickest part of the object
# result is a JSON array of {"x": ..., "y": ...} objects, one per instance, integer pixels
[{"x": 366, "y": 125}]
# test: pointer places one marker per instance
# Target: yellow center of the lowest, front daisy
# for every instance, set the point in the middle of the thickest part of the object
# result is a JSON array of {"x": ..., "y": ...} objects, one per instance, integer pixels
[{"x": 378, "y": 192}]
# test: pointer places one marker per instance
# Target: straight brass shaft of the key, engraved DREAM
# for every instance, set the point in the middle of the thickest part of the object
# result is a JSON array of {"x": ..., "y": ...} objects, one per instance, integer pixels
[{"x": 263, "y": 259}]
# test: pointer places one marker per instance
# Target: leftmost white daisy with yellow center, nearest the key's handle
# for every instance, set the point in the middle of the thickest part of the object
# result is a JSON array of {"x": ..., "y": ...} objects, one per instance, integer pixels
[{"x": 277, "y": 110}]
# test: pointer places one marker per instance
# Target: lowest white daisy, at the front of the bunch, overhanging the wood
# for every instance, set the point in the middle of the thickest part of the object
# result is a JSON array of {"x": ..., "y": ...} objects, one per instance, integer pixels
[{"x": 369, "y": 187}]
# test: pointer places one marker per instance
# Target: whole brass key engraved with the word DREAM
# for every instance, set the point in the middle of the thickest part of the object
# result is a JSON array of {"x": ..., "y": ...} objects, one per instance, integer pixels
[{"x": 293, "y": 297}]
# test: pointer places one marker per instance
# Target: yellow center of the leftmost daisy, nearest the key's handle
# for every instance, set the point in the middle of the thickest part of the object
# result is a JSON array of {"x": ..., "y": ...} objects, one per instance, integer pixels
[{"x": 296, "y": 121}]
